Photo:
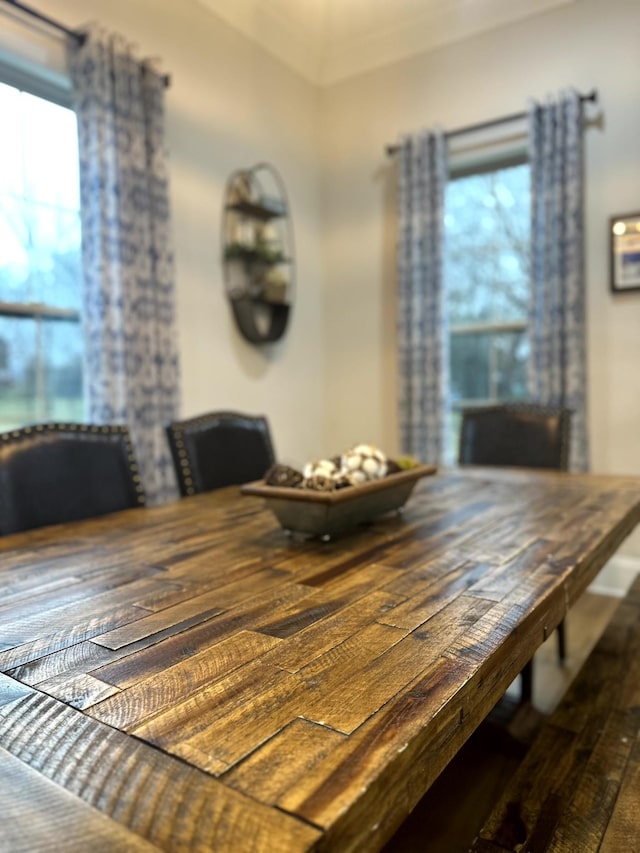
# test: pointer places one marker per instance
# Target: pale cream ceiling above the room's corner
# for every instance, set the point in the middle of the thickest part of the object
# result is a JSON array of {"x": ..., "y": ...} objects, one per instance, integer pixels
[{"x": 330, "y": 40}]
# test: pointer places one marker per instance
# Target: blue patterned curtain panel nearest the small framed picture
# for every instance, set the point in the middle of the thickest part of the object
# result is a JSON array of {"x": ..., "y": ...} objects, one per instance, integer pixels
[{"x": 557, "y": 324}]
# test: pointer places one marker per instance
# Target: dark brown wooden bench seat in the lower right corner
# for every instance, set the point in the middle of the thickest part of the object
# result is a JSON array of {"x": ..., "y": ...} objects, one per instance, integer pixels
[{"x": 578, "y": 786}]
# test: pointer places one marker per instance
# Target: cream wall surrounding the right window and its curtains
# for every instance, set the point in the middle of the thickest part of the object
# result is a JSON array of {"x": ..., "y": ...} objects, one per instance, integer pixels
[{"x": 588, "y": 44}]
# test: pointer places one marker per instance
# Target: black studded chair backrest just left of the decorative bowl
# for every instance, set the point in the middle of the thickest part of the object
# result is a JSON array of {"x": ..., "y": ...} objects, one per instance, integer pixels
[{"x": 219, "y": 449}]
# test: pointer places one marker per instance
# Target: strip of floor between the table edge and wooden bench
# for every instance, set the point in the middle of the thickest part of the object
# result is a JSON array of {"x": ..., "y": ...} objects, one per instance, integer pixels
[{"x": 453, "y": 810}]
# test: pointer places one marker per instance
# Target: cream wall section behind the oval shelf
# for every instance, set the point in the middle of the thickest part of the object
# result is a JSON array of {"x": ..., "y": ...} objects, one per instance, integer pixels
[{"x": 229, "y": 106}]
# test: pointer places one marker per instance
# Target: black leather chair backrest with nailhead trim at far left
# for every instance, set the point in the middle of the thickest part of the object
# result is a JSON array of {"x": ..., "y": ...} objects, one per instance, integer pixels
[{"x": 53, "y": 473}]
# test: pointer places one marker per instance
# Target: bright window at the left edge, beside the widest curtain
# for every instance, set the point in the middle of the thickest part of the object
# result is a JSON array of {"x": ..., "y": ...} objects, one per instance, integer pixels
[{"x": 40, "y": 264}]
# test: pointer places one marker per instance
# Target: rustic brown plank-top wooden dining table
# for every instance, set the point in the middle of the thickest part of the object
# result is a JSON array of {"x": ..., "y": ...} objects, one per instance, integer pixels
[{"x": 189, "y": 677}]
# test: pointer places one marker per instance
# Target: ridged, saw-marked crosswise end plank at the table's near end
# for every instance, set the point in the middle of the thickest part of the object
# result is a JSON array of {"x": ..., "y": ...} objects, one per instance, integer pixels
[{"x": 166, "y": 802}]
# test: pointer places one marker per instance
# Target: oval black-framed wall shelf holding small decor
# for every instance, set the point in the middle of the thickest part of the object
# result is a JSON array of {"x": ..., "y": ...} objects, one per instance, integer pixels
[{"x": 258, "y": 256}]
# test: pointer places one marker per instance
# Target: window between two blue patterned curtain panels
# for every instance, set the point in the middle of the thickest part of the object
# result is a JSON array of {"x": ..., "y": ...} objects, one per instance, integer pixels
[{"x": 486, "y": 269}]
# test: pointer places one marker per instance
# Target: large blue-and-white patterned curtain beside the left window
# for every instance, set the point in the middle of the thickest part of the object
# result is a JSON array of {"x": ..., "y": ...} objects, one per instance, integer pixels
[{"x": 128, "y": 313}]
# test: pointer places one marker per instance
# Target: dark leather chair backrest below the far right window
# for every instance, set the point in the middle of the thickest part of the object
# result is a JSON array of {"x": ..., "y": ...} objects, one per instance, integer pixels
[{"x": 520, "y": 434}]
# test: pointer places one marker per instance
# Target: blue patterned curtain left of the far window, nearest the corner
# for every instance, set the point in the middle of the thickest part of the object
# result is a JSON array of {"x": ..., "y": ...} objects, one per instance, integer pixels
[{"x": 423, "y": 335}]
